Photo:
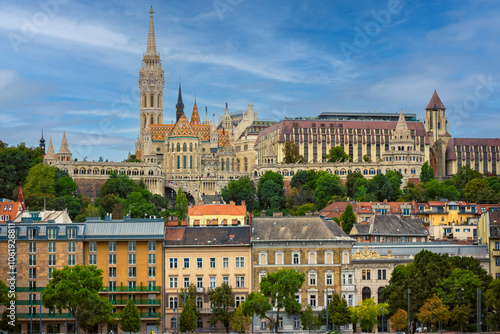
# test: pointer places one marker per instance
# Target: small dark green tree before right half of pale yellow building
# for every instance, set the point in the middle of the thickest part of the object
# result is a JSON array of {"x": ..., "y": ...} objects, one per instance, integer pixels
[{"x": 221, "y": 299}]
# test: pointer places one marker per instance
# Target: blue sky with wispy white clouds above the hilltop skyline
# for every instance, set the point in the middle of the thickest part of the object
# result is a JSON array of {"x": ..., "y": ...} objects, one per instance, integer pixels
[{"x": 69, "y": 65}]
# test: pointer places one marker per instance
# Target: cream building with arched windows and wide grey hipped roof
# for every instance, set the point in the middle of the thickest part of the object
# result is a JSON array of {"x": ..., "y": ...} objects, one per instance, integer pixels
[{"x": 316, "y": 247}]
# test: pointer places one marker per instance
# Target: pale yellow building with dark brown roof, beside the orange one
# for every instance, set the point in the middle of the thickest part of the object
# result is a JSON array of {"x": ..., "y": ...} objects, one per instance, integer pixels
[{"x": 206, "y": 257}]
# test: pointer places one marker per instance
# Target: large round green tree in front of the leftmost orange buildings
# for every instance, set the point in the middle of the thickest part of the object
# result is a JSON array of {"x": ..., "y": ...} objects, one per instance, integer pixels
[{"x": 71, "y": 288}]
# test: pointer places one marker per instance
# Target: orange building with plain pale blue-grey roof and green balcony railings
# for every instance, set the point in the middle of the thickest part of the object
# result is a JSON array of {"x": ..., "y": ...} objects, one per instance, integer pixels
[{"x": 130, "y": 254}]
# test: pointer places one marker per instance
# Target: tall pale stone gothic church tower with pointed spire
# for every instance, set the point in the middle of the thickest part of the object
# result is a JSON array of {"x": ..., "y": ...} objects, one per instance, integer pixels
[{"x": 151, "y": 81}]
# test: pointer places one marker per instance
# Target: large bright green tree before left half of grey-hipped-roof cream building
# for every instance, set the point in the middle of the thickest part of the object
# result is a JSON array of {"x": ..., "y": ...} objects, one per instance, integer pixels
[{"x": 277, "y": 289}]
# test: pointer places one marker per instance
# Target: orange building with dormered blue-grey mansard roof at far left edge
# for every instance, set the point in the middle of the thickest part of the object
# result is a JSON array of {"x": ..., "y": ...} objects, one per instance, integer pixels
[{"x": 39, "y": 249}]
